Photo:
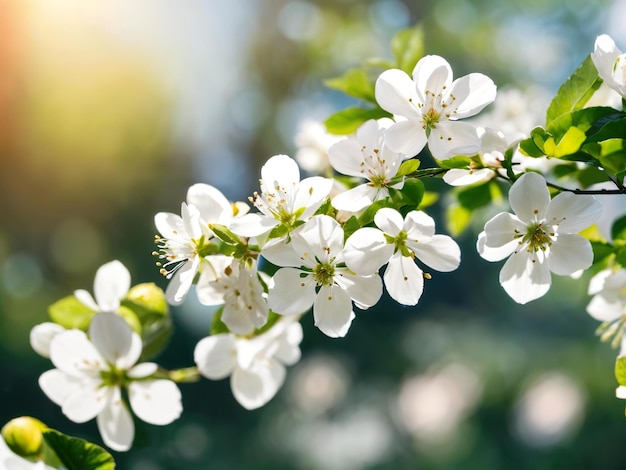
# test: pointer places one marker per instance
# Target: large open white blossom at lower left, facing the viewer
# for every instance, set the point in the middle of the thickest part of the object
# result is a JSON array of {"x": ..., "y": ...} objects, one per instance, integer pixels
[{"x": 90, "y": 373}]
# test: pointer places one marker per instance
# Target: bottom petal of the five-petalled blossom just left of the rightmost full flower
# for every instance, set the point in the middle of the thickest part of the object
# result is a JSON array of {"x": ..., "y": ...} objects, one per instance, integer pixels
[{"x": 404, "y": 280}]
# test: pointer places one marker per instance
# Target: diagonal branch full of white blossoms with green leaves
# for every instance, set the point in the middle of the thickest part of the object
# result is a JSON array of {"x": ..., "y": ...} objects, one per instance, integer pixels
[{"x": 305, "y": 245}]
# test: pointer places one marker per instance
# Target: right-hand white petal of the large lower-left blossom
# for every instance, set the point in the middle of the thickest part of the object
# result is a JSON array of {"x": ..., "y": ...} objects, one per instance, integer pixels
[{"x": 155, "y": 401}]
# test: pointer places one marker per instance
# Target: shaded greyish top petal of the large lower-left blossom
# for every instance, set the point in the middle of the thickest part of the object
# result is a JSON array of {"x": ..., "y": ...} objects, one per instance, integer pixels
[{"x": 111, "y": 336}]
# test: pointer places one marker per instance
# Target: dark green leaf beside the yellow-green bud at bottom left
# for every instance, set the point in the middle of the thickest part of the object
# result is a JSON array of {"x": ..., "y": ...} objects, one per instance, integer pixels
[{"x": 78, "y": 454}]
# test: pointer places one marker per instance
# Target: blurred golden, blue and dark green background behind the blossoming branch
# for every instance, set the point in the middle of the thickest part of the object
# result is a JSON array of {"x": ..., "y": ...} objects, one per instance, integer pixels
[{"x": 110, "y": 109}]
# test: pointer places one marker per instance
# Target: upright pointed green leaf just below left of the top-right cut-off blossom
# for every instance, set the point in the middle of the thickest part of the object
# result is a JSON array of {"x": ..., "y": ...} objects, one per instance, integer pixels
[{"x": 575, "y": 91}]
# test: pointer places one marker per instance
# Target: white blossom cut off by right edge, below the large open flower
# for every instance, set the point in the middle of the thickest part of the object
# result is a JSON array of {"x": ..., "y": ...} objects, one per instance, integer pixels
[{"x": 608, "y": 303}]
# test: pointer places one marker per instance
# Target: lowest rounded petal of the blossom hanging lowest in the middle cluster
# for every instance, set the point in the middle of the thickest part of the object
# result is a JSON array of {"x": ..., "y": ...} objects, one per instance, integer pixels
[{"x": 254, "y": 387}]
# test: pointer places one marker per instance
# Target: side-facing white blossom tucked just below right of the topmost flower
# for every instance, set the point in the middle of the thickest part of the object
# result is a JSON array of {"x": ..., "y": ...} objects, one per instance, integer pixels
[{"x": 493, "y": 144}]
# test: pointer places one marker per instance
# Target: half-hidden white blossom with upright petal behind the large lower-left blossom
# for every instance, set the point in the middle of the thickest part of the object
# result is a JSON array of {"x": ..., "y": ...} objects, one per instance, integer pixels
[{"x": 110, "y": 287}]
